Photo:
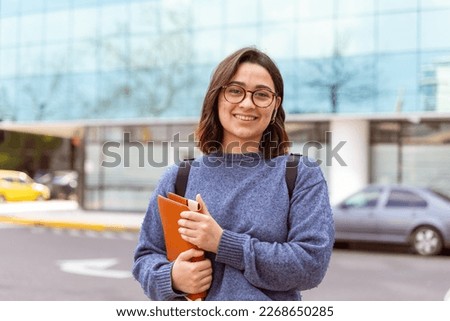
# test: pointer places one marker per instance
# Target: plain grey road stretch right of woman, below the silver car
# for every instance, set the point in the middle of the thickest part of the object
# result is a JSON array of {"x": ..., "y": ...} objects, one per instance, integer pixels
[{"x": 383, "y": 273}]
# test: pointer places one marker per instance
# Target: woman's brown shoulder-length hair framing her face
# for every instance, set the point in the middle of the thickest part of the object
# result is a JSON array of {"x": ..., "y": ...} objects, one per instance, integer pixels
[{"x": 274, "y": 141}]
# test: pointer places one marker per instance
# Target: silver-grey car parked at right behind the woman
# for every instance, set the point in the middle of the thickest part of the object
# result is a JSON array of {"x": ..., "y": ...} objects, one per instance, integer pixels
[{"x": 395, "y": 214}]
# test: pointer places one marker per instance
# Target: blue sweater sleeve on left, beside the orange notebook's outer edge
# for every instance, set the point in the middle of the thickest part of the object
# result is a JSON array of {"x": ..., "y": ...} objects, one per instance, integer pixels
[{"x": 151, "y": 267}]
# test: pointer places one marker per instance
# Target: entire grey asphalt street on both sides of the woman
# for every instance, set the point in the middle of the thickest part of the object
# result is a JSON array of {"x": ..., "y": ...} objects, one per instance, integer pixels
[{"x": 48, "y": 264}]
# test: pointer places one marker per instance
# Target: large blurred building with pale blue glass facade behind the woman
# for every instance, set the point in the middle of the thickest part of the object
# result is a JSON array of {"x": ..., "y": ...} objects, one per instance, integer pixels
[{"x": 140, "y": 68}]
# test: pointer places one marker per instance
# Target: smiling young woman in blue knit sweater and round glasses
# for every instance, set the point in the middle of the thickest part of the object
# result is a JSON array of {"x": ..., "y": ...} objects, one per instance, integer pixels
[{"x": 259, "y": 243}]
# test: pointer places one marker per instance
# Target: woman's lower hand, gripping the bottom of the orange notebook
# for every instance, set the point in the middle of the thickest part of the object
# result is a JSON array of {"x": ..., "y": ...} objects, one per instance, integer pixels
[{"x": 191, "y": 277}]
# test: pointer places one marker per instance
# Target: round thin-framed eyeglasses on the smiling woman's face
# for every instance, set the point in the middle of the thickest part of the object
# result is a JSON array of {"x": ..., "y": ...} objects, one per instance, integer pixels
[{"x": 235, "y": 94}]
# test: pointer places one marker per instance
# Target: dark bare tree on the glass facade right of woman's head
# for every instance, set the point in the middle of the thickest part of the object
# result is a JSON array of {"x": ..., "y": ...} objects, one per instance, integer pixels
[{"x": 342, "y": 79}]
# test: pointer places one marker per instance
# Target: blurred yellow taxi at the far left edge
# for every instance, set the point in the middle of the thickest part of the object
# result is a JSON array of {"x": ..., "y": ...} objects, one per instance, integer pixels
[{"x": 18, "y": 186}]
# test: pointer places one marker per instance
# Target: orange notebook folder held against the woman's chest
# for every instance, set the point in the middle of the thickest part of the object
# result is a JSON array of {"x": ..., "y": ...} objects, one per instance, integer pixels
[{"x": 170, "y": 208}]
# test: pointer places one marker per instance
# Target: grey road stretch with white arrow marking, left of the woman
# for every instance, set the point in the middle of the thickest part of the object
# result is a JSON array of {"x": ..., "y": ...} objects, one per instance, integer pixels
[{"x": 51, "y": 264}]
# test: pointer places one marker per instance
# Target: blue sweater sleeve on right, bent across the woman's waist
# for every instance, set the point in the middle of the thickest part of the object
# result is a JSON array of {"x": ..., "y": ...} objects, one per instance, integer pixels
[{"x": 301, "y": 261}]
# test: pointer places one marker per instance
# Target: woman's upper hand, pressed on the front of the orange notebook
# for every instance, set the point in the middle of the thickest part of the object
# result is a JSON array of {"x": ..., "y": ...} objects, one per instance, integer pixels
[{"x": 200, "y": 228}]
